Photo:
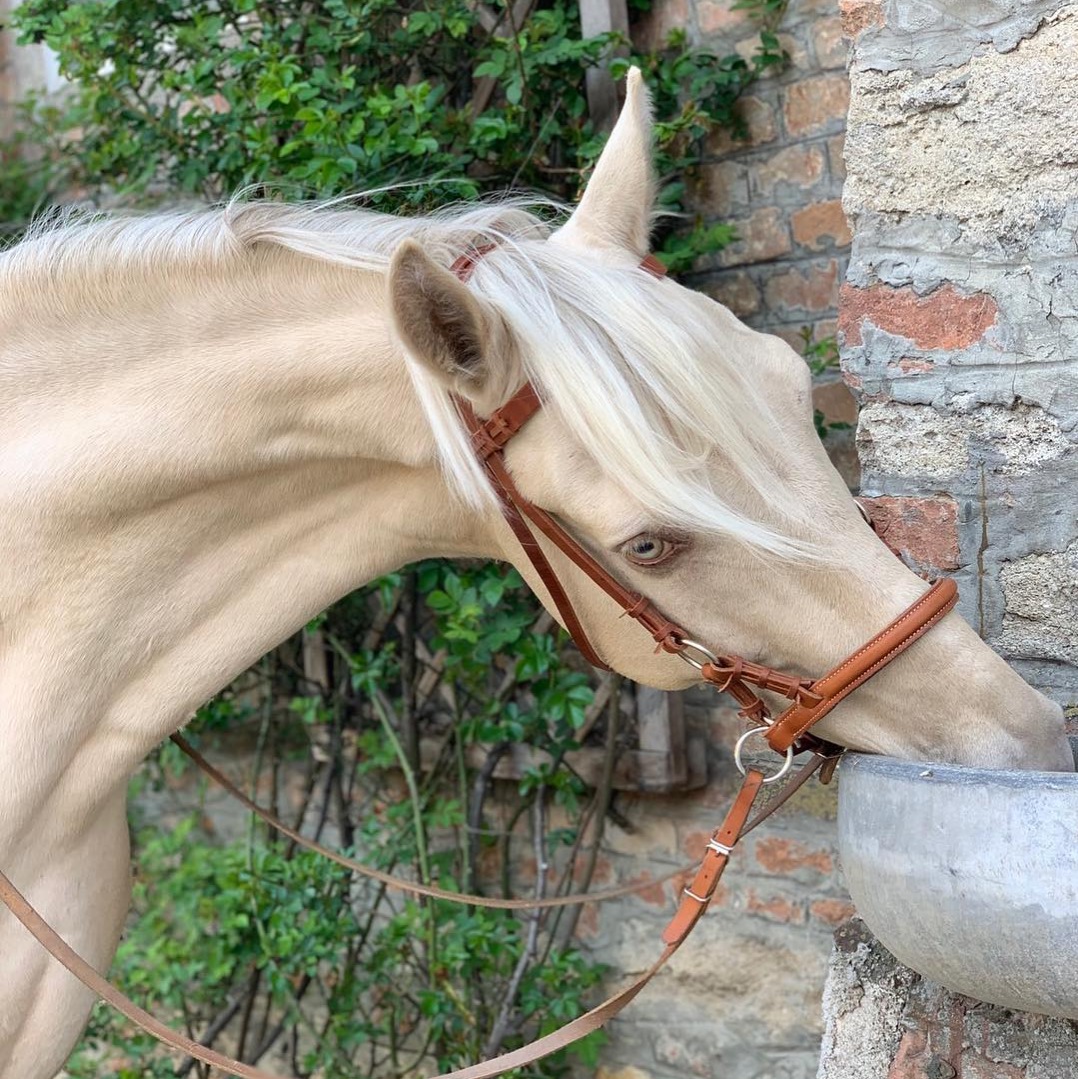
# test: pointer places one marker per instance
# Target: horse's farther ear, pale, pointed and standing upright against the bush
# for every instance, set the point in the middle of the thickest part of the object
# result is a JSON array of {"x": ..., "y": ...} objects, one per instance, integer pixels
[{"x": 617, "y": 209}]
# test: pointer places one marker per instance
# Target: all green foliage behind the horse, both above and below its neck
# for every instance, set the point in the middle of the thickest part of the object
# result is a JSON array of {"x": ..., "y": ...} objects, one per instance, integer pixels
[{"x": 399, "y": 706}]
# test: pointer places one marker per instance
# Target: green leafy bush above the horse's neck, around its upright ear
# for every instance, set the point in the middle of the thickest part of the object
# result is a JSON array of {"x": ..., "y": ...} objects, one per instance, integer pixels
[{"x": 206, "y": 98}]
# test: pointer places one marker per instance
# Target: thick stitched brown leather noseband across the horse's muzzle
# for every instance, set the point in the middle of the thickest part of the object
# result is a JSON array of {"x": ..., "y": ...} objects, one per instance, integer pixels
[{"x": 871, "y": 659}]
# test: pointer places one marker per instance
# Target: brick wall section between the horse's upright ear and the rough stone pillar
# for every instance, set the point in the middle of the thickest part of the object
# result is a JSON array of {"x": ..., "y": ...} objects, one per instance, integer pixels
[{"x": 782, "y": 187}]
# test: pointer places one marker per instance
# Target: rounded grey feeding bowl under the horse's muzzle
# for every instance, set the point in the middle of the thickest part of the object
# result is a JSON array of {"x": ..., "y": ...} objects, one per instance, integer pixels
[{"x": 968, "y": 876}]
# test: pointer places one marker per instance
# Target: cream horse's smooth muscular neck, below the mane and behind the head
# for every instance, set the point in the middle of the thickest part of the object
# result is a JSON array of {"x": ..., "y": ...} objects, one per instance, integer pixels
[{"x": 193, "y": 468}]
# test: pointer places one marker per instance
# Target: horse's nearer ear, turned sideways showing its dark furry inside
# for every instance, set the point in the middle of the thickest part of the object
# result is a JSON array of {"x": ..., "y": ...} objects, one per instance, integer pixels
[{"x": 444, "y": 325}]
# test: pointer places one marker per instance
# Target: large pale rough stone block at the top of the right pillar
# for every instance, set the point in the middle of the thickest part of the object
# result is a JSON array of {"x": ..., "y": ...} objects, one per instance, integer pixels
[{"x": 960, "y": 142}]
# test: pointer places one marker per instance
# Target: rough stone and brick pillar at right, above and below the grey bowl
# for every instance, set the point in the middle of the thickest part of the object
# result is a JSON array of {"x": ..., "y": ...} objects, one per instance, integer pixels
[{"x": 960, "y": 331}]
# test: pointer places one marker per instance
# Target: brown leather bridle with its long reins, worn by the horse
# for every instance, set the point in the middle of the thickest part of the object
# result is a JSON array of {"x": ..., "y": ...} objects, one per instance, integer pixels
[{"x": 811, "y": 700}]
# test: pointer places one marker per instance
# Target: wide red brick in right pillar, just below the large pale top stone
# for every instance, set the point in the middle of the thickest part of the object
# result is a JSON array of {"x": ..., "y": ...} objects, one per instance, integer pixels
[{"x": 943, "y": 319}]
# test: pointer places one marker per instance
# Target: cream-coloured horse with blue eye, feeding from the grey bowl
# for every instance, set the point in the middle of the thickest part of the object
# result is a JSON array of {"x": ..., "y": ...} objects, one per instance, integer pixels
[{"x": 214, "y": 424}]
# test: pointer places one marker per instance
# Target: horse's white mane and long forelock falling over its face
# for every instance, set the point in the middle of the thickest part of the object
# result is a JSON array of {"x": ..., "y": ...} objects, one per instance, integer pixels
[{"x": 619, "y": 357}]
